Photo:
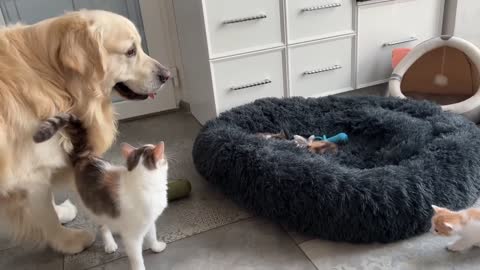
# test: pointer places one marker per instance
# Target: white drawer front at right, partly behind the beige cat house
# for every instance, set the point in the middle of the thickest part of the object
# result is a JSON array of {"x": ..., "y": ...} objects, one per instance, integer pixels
[{"x": 385, "y": 26}]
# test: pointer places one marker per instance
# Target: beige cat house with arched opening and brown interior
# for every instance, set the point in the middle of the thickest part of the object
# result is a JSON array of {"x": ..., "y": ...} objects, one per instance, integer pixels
[{"x": 444, "y": 70}]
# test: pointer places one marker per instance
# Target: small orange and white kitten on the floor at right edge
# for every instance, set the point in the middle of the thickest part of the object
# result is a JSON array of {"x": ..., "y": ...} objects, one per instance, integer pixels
[{"x": 464, "y": 223}]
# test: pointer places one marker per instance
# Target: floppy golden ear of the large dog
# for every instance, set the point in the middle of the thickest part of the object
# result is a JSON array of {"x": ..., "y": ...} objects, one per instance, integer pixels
[{"x": 81, "y": 49}]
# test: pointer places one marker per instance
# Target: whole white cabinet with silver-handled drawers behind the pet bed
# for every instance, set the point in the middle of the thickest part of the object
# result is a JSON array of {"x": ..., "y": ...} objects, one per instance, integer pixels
[{"x": 236, "y": 51}]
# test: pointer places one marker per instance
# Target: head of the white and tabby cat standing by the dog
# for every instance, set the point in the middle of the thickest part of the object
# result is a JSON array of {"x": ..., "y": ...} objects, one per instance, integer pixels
[{"x": 149, "y": 156}]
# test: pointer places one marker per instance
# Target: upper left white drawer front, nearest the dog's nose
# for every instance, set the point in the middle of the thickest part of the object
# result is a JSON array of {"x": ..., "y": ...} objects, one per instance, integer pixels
[{"x": 240, "y": 26}]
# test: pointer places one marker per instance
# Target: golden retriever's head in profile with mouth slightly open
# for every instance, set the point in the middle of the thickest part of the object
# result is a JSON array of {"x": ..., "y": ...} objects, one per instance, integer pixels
[{"x": 106, "y": 47}]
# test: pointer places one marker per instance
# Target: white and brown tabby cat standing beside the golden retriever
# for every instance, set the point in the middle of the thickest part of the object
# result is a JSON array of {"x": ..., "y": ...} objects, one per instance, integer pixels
[{"x": 124, "y": 199}]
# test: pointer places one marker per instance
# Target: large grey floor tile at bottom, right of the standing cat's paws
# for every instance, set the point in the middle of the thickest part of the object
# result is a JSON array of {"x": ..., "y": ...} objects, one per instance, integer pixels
[{"x": 249, "y": 244}]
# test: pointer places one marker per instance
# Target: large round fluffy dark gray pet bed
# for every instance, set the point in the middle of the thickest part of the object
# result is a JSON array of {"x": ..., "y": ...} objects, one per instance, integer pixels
[{"x": 402, "y": 156}]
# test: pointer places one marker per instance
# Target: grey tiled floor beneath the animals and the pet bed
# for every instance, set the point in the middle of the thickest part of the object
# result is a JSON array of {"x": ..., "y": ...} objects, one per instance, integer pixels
[{"x": 208, "y": 231}]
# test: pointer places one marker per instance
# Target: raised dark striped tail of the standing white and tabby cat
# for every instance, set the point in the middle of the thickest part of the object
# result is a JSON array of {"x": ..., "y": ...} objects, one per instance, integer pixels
[{"x": 75, "y": 130}]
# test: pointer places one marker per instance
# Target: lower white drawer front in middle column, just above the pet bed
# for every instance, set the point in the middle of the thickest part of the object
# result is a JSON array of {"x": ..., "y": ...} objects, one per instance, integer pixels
[{"x": 321, "y": 68}]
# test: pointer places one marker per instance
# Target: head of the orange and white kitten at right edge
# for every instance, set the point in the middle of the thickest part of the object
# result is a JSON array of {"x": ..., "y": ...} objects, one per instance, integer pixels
[{"x": 445, "y": 222}]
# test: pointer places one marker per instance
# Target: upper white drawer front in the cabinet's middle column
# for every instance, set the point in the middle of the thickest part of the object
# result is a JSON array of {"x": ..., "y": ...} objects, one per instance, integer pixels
[{"x": 309, "y": 19}]
